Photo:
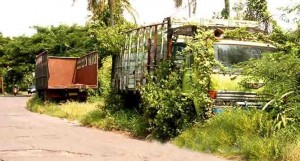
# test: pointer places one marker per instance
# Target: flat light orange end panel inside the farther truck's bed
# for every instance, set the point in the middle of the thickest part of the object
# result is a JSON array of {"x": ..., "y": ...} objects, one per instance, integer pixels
[{"x": 61, "y": 72}]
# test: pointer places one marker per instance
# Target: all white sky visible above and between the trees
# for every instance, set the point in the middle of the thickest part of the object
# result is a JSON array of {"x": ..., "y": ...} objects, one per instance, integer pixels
[{"x": 18, "y": 16}]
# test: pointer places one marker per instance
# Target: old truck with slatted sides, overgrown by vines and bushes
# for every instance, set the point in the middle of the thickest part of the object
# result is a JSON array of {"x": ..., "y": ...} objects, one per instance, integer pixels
[{"x": 147, "y": 46}]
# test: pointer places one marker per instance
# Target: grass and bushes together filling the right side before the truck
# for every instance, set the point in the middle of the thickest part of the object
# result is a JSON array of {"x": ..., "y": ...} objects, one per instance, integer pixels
[{"x": 268, "y": 134}]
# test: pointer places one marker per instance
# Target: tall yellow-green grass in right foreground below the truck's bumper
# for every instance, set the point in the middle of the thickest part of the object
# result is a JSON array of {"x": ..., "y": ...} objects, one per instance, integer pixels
[{"x": 236, "y": 132}]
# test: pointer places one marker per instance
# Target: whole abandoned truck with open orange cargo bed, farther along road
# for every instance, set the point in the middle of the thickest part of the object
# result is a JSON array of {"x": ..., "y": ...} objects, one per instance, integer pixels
[{"x": 60, "y": 78}]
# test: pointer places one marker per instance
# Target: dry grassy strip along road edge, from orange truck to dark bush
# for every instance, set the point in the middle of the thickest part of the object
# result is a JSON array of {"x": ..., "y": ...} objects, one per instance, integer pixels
[{"x": 94, "y": 115}]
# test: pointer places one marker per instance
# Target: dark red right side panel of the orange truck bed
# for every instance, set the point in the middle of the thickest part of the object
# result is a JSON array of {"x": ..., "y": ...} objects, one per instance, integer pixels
[{"x": 87, "y": 70}]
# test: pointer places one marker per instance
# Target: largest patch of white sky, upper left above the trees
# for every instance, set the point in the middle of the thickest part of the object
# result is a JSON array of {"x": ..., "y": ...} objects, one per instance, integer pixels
[{"x": 17, "y": 16}]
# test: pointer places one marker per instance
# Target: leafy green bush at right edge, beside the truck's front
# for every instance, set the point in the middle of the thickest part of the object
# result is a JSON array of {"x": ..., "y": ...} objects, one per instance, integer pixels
[{"x": 280, "y": 73}]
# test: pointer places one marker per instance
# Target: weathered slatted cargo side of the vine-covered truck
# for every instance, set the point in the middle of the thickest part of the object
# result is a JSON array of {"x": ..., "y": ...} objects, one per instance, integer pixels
[{"x": 144, "y": 48}]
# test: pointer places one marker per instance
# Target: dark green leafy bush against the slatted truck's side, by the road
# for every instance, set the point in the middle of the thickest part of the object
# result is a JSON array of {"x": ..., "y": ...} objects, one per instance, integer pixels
[{"x": 166, "y": 109}]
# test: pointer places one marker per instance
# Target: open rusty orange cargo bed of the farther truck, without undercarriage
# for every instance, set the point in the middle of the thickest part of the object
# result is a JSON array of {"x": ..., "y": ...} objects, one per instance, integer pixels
[{"x": 65, "y": 72}]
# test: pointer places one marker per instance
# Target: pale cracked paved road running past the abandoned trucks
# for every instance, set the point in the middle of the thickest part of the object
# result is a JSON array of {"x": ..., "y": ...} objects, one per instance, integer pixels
[{"x": 26, "y": 136}]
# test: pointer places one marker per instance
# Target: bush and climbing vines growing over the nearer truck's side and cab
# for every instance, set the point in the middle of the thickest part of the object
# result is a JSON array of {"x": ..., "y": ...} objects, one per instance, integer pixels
[{"x": 162, "y": 95}]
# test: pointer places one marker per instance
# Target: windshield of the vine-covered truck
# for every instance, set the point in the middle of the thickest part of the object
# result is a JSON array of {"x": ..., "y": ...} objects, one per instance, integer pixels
[{"x": 231, "y": 54}]
